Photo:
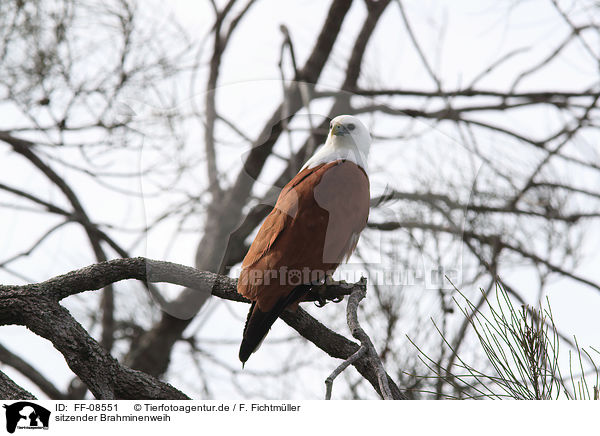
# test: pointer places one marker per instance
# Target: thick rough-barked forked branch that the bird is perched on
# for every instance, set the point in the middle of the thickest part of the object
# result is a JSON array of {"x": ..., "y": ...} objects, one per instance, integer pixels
[{"x": 36, "y": 306}]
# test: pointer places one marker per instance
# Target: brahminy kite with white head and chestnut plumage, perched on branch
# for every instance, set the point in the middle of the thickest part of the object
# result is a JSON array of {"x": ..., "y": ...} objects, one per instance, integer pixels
[{"x": 314, "y": 226}]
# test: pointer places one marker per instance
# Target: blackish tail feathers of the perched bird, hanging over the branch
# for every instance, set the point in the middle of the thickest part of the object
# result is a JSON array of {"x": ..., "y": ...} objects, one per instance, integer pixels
[{"x": 258, "y": 323}]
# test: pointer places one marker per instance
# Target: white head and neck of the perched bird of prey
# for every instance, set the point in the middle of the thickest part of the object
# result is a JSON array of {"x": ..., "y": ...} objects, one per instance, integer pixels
[{"x": 348, "y": 139}]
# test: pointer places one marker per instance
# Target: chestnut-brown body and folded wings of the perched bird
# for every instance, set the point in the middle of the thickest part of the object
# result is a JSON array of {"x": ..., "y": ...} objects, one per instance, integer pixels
[{"x": 312, "y": 227}]
